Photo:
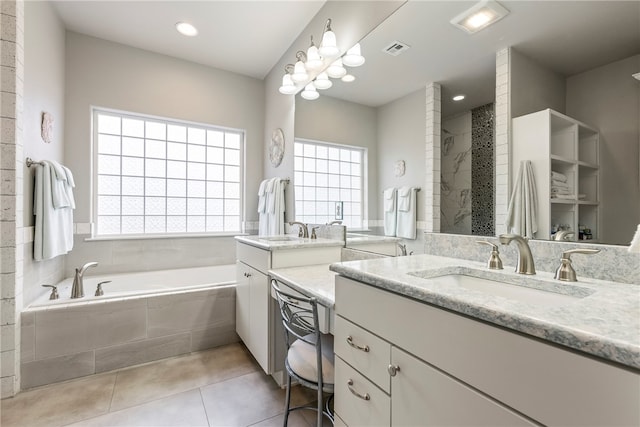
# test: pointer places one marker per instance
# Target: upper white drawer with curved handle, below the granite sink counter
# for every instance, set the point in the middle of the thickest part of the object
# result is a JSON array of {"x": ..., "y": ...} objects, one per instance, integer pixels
[{"x": 371, "y": 359}]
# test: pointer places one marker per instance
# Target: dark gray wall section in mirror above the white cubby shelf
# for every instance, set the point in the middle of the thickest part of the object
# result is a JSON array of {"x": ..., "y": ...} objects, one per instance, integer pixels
[{"x": 533, "y": 87}]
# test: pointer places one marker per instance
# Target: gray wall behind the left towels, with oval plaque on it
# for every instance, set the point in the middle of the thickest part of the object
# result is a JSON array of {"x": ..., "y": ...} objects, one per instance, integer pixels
[{"x": 44, "y": 83}]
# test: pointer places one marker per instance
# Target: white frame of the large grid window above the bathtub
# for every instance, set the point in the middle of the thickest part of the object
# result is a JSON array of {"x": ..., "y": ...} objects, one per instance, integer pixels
[{"x": 96, "y": 110}]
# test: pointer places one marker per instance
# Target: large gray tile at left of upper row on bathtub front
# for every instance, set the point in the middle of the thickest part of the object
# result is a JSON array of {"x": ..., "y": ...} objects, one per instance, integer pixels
[{"x": 69, "y": 330}]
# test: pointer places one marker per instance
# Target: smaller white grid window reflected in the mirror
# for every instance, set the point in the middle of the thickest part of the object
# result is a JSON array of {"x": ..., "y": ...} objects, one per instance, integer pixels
[{"x": 328, "y": 183}]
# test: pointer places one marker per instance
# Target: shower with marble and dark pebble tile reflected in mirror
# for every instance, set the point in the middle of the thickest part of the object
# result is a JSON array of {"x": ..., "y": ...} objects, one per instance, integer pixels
[{"x": 467, "y": 172}]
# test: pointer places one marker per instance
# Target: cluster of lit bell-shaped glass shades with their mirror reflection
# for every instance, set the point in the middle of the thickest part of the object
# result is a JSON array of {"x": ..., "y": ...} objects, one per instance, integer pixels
[{"x": 314, "y": 68}]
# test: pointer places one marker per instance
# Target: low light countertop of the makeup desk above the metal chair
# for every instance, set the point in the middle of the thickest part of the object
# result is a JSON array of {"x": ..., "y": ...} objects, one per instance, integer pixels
[{"x": 311, "y": 280}]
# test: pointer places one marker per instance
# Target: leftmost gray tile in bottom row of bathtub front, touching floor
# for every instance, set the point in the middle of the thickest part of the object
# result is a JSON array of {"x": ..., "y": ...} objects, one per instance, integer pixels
[{"x": 57, "y": 369}]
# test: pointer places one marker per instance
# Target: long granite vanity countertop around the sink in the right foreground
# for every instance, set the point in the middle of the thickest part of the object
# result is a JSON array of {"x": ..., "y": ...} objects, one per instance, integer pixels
[{"x": 602, "y": 320}]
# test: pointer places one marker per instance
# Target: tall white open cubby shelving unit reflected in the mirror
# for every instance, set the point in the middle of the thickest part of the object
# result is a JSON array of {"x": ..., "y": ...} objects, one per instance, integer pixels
[{"x": 554, "y": 142}]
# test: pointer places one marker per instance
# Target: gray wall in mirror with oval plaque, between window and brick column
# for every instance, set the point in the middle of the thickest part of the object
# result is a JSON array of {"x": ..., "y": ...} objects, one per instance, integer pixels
[{"x": 401, "y": 136}]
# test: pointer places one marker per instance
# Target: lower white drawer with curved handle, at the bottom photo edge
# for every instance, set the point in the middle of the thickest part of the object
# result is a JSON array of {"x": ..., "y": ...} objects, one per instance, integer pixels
[{"x": 354, "y": 410}]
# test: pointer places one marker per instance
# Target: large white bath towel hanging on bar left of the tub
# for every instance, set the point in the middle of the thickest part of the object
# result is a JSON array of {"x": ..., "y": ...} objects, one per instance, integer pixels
[{"x": 53, "y": 226}]
